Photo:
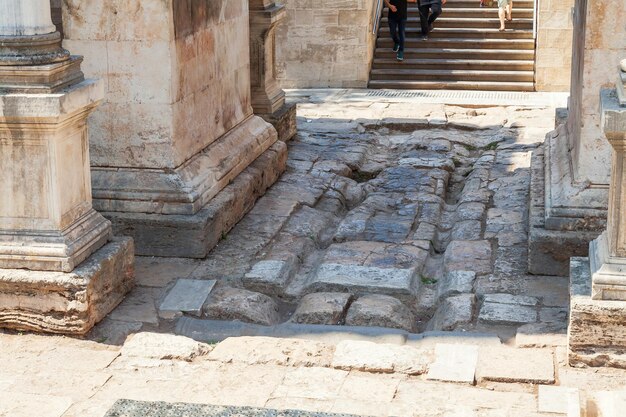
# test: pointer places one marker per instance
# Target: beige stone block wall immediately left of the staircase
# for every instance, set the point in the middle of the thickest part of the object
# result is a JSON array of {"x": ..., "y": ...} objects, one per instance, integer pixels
[{"x": 325, "y": 43}]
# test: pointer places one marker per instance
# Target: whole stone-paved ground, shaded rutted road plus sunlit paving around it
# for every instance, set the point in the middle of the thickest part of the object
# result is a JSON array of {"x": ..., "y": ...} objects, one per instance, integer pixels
[{"x": 408, "y": 218}]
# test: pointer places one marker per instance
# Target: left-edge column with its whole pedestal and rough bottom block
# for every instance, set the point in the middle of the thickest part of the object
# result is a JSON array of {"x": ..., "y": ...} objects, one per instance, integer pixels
[{"x": 58, "y": 271}]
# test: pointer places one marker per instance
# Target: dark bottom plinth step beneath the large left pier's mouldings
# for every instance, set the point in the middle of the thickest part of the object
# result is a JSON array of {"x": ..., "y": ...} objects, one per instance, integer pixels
[{"x": 193, "y": 236}]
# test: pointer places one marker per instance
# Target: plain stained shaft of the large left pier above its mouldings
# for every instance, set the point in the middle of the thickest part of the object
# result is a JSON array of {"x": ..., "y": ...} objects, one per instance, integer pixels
[{"x": 177, "y": 77}]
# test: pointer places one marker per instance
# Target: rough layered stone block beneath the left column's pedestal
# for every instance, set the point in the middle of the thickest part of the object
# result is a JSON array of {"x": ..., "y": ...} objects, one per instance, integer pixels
[{"x": 68, "y": 303}]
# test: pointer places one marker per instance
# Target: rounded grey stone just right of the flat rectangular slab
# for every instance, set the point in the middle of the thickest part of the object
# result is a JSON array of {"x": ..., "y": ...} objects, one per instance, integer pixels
[{"x": 227, "y": 303}]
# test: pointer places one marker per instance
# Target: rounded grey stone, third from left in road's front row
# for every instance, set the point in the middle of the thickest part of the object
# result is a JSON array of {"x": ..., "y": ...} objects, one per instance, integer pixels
[{"x": 380, "y": 311}]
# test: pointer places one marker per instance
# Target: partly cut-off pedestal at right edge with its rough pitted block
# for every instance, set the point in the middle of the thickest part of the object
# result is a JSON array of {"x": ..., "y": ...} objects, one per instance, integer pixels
[{"x": 597, "y": 332}]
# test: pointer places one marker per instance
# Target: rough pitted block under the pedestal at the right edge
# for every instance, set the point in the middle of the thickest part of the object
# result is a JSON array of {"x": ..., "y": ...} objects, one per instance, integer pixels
[{"x": 597, "y": 328}]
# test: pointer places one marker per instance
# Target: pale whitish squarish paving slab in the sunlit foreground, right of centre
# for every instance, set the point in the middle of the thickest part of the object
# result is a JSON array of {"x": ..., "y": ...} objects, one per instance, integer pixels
[{"x": 454, "y": 363}]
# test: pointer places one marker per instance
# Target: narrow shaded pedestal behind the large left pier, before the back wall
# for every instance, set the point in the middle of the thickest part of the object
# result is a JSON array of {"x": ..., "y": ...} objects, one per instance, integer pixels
[{"x": 268, "y": 99}]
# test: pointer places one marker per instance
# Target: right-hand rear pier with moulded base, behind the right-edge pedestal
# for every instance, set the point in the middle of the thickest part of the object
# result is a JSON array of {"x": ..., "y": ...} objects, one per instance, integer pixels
[{"x": 576, "y": 156}]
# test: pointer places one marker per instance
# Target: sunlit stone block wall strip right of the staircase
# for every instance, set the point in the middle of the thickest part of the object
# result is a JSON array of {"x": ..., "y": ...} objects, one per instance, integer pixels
[{"x": 554, "y": 45}]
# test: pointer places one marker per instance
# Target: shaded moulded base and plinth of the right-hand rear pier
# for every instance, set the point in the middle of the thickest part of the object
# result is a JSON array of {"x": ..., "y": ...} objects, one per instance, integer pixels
[{"x": 564, "y": 215}]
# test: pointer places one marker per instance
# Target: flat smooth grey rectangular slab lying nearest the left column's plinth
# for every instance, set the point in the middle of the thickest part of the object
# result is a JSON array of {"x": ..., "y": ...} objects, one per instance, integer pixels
[{"x": 187, "y": 296}]
